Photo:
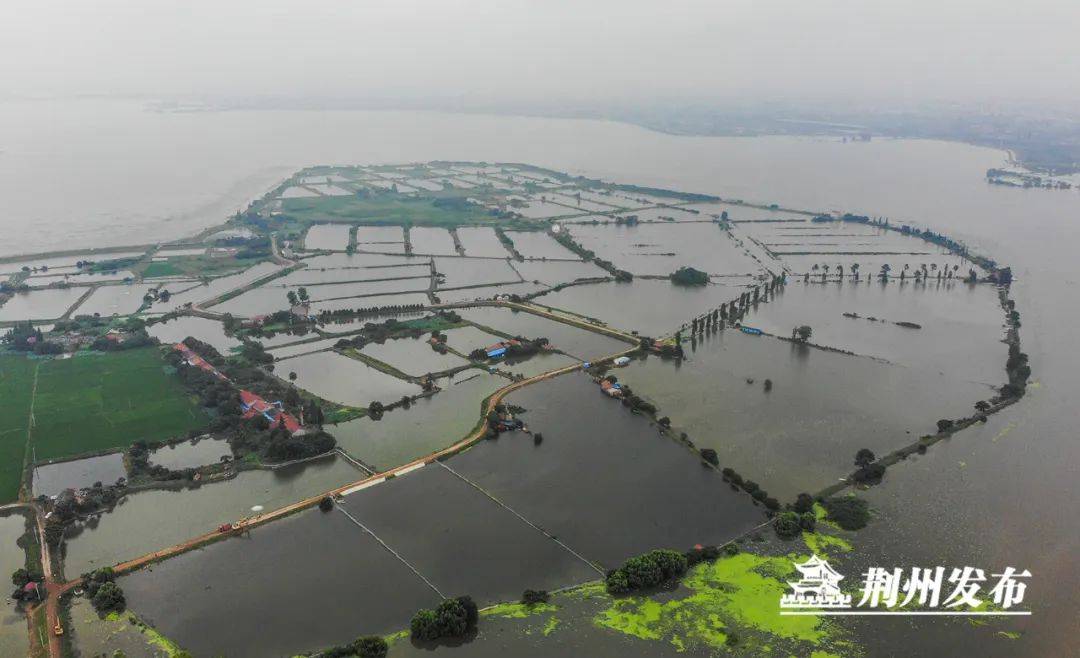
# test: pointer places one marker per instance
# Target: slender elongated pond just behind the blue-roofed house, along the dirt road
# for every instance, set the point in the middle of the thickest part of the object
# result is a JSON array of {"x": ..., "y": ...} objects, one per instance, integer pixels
[{"x": 579, "y": 343}]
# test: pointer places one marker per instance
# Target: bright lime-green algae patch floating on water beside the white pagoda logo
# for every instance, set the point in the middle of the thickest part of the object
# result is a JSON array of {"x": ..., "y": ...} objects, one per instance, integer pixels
[{"x": 734, "y": 600}]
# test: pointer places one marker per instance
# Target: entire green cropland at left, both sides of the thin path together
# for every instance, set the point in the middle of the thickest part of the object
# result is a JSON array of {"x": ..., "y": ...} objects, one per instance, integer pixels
[{"x": 85, "y": 405}]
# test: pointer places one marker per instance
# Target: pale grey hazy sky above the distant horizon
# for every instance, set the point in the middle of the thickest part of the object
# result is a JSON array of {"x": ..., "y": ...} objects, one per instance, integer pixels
[{"x": 552, "y": 51}]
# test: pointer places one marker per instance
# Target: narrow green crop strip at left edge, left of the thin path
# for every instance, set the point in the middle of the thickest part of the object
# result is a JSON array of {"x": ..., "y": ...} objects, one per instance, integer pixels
[{"x": 17, "y": 387}]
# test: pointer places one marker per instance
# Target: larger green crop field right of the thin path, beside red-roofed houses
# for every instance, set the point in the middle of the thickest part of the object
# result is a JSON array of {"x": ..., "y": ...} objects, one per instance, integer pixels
[{"x": 96, "y": 402}]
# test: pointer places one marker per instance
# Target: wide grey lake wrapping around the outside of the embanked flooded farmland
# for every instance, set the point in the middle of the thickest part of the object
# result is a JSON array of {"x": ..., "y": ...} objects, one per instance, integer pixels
[{"x": 93, "y": 173}]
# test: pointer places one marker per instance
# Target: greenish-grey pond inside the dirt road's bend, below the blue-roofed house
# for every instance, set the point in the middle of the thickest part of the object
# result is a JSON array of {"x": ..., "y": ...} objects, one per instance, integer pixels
[{"x": 429, "y": 425}]
